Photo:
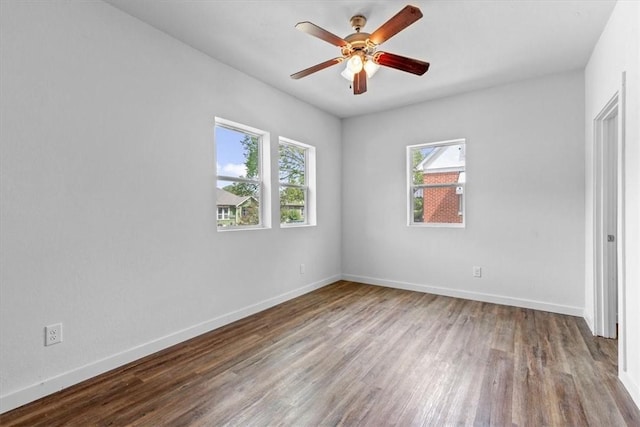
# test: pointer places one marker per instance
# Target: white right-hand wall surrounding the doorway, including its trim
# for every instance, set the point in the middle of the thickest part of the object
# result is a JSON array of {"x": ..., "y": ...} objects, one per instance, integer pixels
[{"x": 618, "y": 50}]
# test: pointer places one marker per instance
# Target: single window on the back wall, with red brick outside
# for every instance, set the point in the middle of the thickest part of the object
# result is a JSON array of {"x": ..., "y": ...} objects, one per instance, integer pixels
[{"x": 436, "y": 180}]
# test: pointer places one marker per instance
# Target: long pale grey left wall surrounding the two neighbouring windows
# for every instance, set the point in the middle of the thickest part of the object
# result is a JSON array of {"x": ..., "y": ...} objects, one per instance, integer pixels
[{"x": 108, "y": 203}]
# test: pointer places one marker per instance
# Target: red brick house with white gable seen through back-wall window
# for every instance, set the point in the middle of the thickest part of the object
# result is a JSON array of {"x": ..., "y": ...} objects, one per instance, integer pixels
[{"x": 444, "y": 165}]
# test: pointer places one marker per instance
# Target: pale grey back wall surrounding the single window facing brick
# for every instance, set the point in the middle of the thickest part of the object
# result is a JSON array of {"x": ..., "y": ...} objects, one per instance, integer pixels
[{"x": 525, "y": 196}]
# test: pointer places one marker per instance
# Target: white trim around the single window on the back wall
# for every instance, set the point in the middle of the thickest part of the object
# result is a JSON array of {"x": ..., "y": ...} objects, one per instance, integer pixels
[{"x": 410, "y": 186}]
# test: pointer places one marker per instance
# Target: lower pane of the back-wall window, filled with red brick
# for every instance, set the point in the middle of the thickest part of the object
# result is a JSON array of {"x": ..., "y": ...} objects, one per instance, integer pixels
[{"x": 441, "y": 205}]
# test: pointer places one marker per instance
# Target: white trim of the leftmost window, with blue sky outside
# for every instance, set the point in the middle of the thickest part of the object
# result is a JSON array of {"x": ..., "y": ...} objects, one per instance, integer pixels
[{"x": 264, "y": 221}]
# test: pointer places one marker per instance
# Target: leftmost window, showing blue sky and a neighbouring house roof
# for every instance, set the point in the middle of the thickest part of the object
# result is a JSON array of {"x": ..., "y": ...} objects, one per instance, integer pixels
[{"x": 242, "y": 187}]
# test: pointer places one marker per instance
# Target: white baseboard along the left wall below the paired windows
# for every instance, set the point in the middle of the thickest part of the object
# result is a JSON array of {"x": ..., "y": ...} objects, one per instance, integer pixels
[{"x": 53, "y": 384}]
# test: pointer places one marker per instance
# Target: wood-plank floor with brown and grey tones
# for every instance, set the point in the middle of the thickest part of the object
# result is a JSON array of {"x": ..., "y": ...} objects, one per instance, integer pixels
[{"x": 353, "y": 354}]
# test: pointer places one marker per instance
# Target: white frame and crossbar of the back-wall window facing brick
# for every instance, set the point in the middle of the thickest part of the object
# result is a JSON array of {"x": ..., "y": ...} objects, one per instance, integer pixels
[{"x": 412, "y": 187}]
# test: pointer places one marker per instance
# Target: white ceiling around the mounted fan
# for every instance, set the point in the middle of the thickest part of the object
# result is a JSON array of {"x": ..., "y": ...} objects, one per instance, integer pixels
[{"x": 471, "y": 44}]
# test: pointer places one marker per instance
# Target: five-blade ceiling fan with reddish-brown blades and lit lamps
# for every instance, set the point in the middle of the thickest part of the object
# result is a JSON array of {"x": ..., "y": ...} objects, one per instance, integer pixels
[{"x": 359, "y": 49}]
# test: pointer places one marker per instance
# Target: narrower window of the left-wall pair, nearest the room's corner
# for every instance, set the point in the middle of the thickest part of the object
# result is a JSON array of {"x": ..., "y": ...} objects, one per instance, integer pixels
[{"x": 296, "y": 171}]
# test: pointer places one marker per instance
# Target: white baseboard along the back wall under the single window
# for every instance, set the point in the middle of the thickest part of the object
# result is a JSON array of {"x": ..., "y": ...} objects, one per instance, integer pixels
[{"x": 476, "y": 296}]
